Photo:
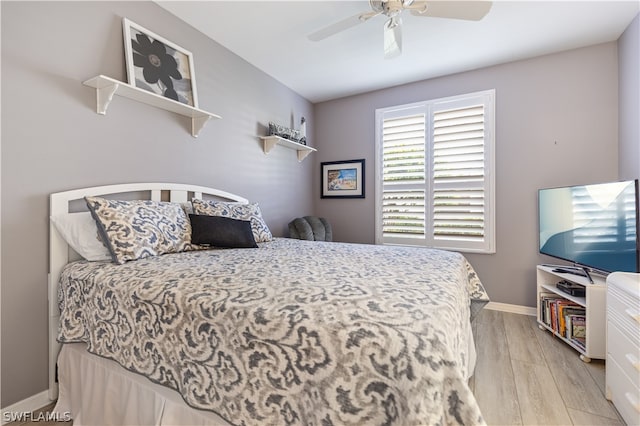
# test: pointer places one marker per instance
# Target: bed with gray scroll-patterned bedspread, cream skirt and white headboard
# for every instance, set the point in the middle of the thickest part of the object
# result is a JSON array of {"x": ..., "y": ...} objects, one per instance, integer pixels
[{"x": 280, "y": 331}]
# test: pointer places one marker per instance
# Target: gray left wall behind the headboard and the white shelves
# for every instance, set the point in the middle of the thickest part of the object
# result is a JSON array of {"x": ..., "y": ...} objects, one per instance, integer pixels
[{"x": 53, "y": 140}]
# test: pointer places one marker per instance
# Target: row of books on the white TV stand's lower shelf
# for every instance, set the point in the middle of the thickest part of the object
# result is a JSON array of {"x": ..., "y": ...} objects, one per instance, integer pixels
[{"x": 564, "y": 317}]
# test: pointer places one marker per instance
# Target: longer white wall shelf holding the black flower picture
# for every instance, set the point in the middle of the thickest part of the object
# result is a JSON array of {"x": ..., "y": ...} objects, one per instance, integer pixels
[{"x": 106, "y": 87}]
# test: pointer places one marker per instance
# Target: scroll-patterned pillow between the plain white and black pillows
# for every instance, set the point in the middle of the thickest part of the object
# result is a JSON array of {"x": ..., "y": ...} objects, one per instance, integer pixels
[{"x": 137, "y": 229}]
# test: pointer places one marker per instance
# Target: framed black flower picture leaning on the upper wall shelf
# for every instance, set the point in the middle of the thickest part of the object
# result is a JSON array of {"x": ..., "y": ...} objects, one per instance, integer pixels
[{"x": 158, "y": 65}]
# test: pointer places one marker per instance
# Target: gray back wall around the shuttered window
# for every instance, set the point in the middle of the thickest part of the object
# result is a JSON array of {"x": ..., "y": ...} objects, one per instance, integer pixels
[{"x": 556, "y": 124}]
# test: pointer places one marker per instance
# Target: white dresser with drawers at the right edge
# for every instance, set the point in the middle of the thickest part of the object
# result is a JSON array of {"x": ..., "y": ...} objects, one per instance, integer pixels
[{"x": 623, "y": 344}]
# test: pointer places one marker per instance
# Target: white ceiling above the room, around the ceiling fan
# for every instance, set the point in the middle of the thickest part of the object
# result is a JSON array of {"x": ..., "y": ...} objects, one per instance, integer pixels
[{"x": 272, "y": 35}]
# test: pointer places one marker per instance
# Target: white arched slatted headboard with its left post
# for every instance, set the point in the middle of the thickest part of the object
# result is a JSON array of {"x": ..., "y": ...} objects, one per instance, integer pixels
[{"x": 60, "y": 253}]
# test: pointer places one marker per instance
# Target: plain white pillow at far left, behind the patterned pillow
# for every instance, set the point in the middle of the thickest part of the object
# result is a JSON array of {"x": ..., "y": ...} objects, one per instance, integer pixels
[{"x": 80, "y": 231}]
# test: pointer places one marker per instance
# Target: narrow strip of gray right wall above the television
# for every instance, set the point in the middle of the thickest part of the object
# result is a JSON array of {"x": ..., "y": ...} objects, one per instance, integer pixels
[{"x": 629, "y": 121}]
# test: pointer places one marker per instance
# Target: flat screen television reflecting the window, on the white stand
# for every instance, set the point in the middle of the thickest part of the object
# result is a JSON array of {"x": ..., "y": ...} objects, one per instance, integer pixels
[{"x": 593, "y": 226}]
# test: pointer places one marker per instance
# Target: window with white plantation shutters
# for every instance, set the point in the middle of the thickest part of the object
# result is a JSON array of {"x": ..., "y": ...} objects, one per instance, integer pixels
[{"x": 435, "y": 173}]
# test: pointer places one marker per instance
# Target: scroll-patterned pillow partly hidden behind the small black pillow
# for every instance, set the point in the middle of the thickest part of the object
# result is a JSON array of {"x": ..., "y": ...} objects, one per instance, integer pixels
[{"x": 241, "y": 211}]
